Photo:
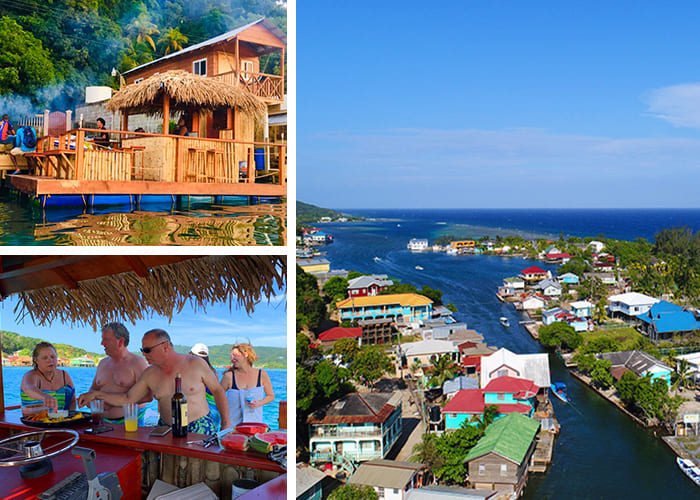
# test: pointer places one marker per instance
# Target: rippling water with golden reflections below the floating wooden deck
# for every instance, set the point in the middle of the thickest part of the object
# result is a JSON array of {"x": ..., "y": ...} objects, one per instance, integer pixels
[{"x": 191, "y": 222}]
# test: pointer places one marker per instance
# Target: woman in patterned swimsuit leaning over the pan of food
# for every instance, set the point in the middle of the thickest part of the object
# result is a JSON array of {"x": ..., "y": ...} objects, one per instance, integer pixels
[{"x": 45, "y": 384}]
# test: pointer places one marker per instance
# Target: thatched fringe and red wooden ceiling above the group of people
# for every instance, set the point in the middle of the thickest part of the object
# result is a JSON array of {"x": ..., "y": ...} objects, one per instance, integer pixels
[{"x": 88, "y": 289}]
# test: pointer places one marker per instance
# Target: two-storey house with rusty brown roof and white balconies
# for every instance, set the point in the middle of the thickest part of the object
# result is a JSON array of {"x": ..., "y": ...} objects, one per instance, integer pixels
[{"x": 356, "y": 428}]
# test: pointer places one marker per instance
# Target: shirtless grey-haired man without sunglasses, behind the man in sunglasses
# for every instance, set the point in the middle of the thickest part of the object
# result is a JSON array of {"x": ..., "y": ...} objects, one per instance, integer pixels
[{"x": 119, "y": 371}]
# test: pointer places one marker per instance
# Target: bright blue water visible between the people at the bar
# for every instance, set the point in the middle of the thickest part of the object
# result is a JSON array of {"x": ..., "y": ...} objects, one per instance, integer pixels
[{"x": 82, "y": 378}]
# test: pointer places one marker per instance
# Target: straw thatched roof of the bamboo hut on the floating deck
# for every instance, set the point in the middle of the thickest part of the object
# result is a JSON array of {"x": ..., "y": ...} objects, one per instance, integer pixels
[{"x": 187, "y": 92}]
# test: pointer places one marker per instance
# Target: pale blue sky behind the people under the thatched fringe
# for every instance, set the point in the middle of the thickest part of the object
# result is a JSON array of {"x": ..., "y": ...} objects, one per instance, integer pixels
[{"x": 266, "y": 326}]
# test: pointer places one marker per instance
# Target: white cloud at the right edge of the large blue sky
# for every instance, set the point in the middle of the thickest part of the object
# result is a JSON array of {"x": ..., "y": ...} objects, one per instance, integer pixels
[{"x": 678, "y": 104}]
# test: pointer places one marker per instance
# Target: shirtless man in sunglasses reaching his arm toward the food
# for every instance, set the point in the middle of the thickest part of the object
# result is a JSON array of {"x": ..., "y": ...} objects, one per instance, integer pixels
[{"x": 159, "y": 378}]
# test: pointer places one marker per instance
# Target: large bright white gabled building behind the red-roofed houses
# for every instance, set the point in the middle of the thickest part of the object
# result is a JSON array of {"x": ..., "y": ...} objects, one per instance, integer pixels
[{"x": 503, "y": 362}]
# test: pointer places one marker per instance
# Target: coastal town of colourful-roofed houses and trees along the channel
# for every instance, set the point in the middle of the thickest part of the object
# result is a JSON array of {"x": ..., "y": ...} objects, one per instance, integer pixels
[{"x": 445, "y": 415}]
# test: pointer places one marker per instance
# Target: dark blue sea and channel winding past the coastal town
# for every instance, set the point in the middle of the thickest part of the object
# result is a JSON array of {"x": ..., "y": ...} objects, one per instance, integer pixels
[{"x": 600, "y": 453}]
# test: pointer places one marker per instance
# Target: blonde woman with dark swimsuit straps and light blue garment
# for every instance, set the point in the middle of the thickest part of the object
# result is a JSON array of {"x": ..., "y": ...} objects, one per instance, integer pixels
[{"x": 247, "y": 388}]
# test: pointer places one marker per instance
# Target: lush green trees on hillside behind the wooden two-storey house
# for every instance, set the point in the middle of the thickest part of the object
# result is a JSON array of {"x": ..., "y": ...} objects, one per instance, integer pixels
[{"x": 65, "y": 45}]
